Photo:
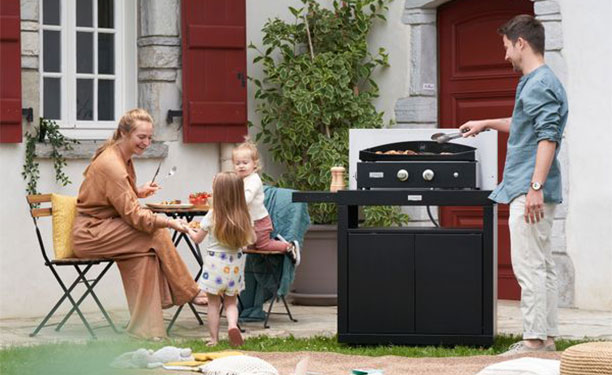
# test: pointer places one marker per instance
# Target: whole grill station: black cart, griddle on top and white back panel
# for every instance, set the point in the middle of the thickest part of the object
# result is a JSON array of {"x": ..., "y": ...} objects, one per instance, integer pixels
[{"x": 426, "y": 285}]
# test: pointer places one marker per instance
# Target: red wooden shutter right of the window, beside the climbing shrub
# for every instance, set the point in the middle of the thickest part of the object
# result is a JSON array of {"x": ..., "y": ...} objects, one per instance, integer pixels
[{"x": 214, "y": 70}]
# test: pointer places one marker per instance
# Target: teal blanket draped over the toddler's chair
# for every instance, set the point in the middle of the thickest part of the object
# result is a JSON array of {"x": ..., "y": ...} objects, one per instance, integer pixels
[{"x": 290, "y": 220}]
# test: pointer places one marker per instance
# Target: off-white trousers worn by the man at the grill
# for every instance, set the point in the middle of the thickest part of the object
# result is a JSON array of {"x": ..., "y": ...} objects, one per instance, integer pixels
[{"x": 534, "y": 268}]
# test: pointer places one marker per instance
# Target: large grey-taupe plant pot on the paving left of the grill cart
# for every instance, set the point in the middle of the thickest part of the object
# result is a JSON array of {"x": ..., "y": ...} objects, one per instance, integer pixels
[{"x": 316, "y": 278}]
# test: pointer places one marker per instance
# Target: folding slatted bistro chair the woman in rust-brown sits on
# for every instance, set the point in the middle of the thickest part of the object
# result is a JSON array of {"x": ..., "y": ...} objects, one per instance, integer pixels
[{"x": 82, "y": 267}]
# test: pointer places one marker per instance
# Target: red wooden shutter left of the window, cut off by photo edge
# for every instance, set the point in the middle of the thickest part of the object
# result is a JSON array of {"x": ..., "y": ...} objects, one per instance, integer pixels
[{"x": 10, "y": 72}]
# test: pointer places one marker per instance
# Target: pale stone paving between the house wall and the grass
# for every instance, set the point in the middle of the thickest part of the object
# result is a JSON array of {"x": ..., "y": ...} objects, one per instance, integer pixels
[{"x": 574, "y": 323}]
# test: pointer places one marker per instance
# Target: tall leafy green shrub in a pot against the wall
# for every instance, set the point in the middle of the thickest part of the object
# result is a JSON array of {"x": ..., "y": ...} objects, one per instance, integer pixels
[{"x": 317, "y": 85}]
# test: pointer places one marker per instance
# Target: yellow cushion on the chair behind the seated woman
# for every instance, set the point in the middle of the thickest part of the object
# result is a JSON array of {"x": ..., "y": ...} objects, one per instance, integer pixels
[{"x": 63, "y": 209}]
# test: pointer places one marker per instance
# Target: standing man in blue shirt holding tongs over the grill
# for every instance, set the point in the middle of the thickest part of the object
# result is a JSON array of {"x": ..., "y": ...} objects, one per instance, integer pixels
[{"x": 532, "y": 178}]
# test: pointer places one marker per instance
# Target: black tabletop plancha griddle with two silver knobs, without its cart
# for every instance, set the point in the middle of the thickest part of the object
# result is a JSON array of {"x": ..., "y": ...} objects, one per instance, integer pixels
[{"x": 417, "y": 164}]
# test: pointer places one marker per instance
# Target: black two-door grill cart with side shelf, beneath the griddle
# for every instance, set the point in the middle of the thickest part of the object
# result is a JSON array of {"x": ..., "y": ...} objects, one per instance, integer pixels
[{"x": 414, "y": 285}]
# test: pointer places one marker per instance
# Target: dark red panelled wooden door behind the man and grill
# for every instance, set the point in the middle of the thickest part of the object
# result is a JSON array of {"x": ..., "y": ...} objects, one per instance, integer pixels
[{"x": 476, "y": 83}]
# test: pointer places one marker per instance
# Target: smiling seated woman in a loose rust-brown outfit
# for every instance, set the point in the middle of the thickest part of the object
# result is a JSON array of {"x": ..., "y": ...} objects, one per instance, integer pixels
[{"x": 111, "y": 223}]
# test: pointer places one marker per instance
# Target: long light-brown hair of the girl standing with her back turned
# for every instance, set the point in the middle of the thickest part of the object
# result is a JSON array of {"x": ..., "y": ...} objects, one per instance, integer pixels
[{"x": 232, "y": 222}]
